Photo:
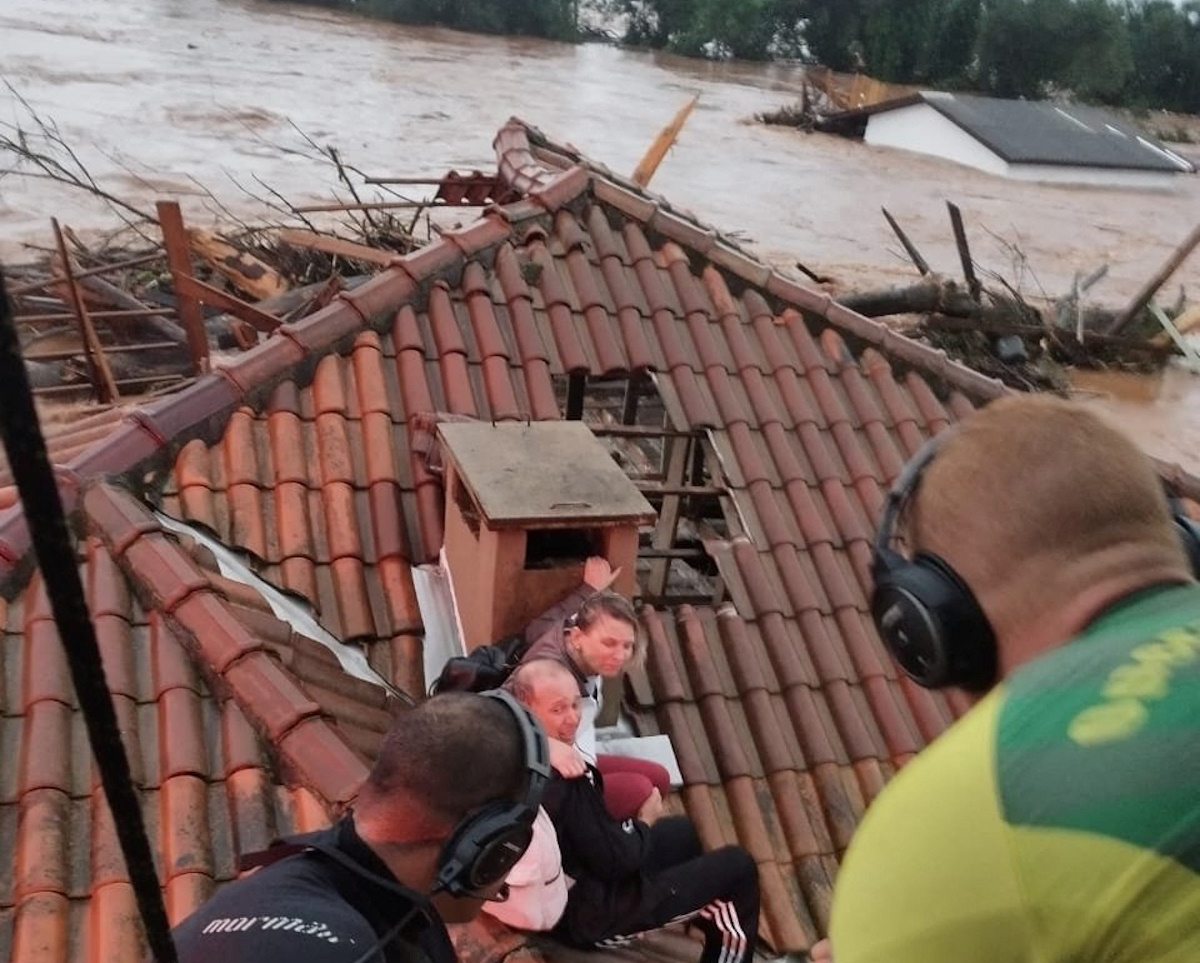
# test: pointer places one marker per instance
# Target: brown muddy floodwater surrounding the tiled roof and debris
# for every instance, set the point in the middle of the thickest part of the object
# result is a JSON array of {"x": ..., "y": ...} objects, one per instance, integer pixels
[{"x": 158, "y": 97}]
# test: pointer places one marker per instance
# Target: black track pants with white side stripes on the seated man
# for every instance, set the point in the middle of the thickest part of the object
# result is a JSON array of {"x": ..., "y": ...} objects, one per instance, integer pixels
[{"x": 716, "y": 892}]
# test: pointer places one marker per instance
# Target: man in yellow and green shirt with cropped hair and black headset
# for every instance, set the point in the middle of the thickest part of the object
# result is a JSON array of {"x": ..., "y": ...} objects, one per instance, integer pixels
[{"x": 1060, "y": 820}]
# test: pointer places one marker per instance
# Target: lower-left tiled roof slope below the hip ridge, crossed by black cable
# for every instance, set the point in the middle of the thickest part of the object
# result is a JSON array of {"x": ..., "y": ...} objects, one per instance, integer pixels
[{"x": 209, "y": 788}]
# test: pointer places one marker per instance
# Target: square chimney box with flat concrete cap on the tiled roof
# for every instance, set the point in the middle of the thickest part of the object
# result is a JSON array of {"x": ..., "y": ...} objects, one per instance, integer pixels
[{"x": 526, "y": 505}]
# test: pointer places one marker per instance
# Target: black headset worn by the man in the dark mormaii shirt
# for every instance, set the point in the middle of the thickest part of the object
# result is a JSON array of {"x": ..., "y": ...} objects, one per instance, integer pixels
[{"x": 489, "y": 841}]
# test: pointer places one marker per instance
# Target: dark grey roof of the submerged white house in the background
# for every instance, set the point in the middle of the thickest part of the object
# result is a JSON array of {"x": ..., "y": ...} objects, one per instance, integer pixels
[{"x": 1036, "y": 133}]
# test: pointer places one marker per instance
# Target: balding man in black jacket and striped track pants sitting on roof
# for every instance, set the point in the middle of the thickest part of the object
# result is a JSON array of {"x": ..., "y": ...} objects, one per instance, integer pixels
[{"x": 639, "y": 875}]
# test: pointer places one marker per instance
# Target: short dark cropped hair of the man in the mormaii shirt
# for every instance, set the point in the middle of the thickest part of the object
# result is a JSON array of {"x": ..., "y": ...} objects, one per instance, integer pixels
[{"x": 451, "y": 755}]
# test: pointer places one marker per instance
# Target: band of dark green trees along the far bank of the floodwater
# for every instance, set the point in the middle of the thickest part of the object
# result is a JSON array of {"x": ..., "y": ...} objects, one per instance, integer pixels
[{"x": 1133, "y": 53}]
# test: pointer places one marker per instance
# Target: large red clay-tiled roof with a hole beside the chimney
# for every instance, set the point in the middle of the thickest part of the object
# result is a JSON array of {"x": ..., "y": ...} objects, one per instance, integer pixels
[{"x": 308, "y": 456}]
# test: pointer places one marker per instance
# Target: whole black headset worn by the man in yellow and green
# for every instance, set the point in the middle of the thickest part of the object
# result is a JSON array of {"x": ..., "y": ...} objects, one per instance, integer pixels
[{"x": 927, "y": 617}]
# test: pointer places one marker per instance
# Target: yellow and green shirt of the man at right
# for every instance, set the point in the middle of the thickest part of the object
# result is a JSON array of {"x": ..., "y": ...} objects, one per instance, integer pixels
[{"x": 1059, "y": 821}]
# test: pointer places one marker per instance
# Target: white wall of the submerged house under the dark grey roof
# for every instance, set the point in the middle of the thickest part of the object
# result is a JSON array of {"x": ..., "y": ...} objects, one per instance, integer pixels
[{"x": 923, "y": 130}]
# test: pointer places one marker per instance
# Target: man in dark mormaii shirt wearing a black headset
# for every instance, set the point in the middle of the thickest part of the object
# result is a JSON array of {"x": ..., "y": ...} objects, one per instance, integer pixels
[{"x": 443, "y": 817}]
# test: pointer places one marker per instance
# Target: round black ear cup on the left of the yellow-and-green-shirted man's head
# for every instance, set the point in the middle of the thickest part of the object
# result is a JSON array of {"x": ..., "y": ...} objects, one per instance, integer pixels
[{"x": 932, "y": 624}]
